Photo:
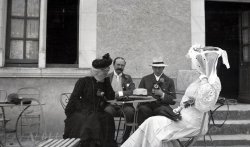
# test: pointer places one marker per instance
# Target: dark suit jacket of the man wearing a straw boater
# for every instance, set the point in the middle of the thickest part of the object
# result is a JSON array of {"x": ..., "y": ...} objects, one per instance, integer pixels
[{"x": 165, "y": 83}]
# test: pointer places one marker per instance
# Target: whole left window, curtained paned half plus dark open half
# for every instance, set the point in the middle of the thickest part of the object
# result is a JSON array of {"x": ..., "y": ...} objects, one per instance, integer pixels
[{"x": 23, "y": 32}]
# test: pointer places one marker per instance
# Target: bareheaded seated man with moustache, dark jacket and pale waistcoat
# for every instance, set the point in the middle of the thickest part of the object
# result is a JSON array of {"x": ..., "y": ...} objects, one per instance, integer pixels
[{"x": 123, "y": 85}]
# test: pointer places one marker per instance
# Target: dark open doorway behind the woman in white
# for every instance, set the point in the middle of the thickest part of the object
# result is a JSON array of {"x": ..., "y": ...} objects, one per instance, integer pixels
[{"x": 222, "y": 30}]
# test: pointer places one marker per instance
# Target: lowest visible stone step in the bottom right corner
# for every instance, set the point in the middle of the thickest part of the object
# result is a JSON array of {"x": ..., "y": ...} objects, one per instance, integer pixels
[{"x": 224, "y": 140}]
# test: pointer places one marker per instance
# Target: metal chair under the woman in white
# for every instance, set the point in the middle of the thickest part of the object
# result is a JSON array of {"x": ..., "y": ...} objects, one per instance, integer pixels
[{"x": 190, "y": 140}]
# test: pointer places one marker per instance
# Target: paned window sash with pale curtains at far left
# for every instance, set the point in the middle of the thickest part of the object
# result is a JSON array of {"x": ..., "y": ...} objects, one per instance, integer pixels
[{"x": 22, "y": 41}]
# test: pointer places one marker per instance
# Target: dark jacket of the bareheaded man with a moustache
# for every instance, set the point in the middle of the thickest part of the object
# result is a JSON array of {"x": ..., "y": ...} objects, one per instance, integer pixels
[{"x": 127, "y": 83}]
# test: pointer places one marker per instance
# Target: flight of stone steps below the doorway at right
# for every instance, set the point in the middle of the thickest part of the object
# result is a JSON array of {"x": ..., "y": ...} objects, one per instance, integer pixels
[{"x": 235, "y": 131}]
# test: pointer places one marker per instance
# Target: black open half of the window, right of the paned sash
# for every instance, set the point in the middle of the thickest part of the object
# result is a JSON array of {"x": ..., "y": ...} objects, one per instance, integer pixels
[{"x": 62, "y": 32}]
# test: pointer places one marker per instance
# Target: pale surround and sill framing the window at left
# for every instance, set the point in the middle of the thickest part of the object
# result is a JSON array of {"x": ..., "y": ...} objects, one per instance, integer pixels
[{"x": 87, "y": 45}]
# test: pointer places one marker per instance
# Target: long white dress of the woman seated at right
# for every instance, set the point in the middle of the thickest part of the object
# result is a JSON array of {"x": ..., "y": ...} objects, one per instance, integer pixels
[{"x": 155, "y": 129}]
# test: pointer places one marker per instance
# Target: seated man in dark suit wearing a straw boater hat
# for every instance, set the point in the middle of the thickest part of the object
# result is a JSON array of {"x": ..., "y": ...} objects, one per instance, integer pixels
[{"x": 162, "y": 88}]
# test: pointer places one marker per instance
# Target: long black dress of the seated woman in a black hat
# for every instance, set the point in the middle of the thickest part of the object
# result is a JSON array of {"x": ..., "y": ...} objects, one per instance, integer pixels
[{"x": 86, "y": 118}]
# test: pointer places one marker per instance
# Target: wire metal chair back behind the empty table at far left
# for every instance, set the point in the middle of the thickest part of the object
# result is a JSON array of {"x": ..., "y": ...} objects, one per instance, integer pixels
[{"x": 31, "y": 117}]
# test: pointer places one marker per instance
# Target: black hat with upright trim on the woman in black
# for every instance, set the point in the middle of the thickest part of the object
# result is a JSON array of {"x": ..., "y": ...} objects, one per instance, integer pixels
[{"x": 102, "y": 63}]
